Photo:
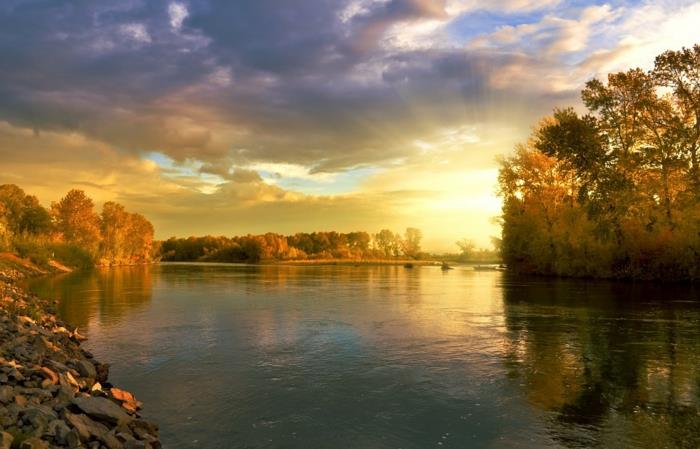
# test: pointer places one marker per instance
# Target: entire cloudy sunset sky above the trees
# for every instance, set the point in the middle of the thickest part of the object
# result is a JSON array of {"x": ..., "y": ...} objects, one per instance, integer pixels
[{"x": 233, "y": 117}]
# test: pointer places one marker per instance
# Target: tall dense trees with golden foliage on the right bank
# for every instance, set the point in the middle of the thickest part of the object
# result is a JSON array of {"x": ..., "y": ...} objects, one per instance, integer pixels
[{"x": 615, "y": 192}]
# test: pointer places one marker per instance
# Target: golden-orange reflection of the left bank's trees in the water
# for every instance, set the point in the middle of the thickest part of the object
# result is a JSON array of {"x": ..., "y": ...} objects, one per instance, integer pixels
[{"x": 92, "y": 294}]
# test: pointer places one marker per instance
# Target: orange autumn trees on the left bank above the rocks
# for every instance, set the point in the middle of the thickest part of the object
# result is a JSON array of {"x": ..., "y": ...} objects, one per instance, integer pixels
[{"x": 71, "y": 231}]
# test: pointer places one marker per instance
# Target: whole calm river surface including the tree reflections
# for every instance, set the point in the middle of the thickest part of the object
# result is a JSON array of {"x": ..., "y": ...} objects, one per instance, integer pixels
[{"x": 228, "y": 356}]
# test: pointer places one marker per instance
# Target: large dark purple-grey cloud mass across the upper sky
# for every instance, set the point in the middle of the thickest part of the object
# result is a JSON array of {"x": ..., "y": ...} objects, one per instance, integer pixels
[{"x": 237, "y": 81}]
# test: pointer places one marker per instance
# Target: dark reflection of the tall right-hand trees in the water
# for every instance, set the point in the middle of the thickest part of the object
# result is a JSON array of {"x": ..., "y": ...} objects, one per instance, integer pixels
[{"x": 616, "y": 365}]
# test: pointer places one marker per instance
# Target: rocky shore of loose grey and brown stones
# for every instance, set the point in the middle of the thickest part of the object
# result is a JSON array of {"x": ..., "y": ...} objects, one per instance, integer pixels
[{"x": 53, "y": 393}]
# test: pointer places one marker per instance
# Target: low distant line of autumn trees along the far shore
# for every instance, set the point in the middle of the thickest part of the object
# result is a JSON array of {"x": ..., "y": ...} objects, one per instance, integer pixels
[{"x": 300, "y": 246}]
